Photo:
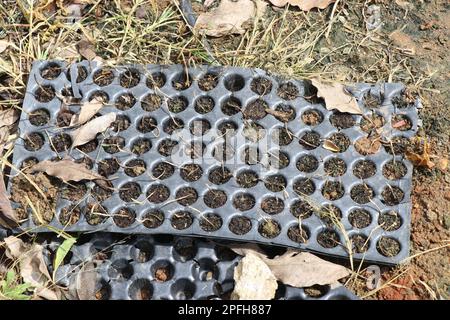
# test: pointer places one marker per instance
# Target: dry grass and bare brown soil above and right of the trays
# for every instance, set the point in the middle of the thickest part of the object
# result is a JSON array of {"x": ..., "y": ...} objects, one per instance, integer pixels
[{"x": 411, "y": 46}]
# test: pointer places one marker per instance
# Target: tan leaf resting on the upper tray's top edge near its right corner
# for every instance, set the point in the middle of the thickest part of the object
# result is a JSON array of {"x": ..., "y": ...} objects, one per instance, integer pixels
[{"x": 336, "y": 97}]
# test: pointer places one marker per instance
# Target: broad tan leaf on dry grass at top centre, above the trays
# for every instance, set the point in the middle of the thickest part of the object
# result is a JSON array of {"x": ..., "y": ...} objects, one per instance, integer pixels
[{"x": 229, "y": 17}]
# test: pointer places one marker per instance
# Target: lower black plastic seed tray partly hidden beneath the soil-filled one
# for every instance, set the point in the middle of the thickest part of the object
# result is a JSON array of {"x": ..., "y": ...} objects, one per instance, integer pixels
[{"x": 163, "y": 267}]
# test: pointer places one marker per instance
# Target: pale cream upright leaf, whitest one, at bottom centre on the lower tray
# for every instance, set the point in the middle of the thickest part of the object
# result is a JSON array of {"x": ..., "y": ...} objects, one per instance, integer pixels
[{"x": 253, "y": 280}]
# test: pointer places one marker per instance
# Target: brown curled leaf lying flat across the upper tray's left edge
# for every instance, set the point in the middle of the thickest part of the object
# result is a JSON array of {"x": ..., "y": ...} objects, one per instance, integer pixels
[{"x": 66, "y": 170}]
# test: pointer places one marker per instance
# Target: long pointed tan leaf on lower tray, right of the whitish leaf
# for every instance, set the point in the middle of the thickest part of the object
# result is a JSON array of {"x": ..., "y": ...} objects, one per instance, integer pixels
[{"x": 298, "y": 269}]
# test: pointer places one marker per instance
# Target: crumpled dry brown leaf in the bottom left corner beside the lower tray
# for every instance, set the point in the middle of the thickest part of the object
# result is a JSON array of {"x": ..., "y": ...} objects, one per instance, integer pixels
[{"x": 33, "y": 268}]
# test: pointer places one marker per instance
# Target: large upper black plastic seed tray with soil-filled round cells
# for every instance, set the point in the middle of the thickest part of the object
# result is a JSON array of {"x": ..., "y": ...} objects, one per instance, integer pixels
[{"x": 228, "y": 153}]
